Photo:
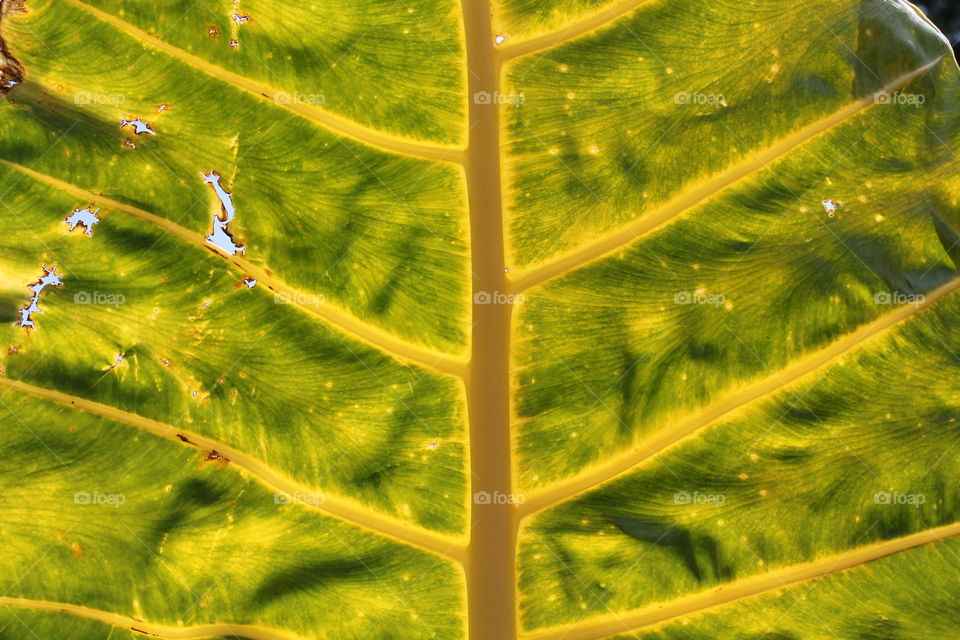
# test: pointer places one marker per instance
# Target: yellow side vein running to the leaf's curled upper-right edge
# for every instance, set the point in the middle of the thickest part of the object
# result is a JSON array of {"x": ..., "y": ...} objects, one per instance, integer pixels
[{"x": 702, "y": 191}]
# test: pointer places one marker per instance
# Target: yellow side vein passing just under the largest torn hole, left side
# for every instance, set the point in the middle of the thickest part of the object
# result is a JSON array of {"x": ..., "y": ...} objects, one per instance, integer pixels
[{"x": 382, "y": 340}]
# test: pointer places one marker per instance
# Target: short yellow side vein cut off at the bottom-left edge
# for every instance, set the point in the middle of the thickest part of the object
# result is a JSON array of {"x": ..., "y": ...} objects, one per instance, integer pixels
[{"x": 218, "y": 629}]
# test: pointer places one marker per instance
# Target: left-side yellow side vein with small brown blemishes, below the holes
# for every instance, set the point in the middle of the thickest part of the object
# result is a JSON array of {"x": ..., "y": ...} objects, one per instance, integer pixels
[{"x": 341, "y": 507}]
